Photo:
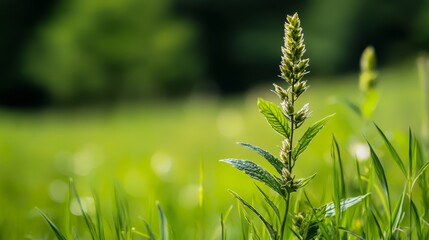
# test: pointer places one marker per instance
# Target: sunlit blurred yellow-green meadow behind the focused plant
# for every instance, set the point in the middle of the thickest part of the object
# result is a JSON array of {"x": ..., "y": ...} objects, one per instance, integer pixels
[{"x": 168, "y": 151}]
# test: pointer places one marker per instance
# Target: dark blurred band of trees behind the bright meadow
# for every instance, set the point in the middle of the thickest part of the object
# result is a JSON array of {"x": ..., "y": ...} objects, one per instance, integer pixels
[{"x": 74, "y": 53}]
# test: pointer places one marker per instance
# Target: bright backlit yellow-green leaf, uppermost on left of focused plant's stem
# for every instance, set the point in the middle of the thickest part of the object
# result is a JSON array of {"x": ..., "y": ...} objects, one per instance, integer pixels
[{"x": 275, "y": 117}]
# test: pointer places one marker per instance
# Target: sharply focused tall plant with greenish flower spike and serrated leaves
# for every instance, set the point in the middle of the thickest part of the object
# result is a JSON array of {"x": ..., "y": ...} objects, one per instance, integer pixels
[{"x": 285, "y": 120}]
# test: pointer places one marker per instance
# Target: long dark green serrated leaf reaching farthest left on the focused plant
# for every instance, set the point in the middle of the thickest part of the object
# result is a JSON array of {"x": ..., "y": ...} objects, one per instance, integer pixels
[{"x": 256, "y": 172}]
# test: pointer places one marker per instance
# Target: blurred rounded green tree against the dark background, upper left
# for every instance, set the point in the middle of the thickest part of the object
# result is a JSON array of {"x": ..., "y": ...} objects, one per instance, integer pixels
[{"x": 103, "y": 50}]
